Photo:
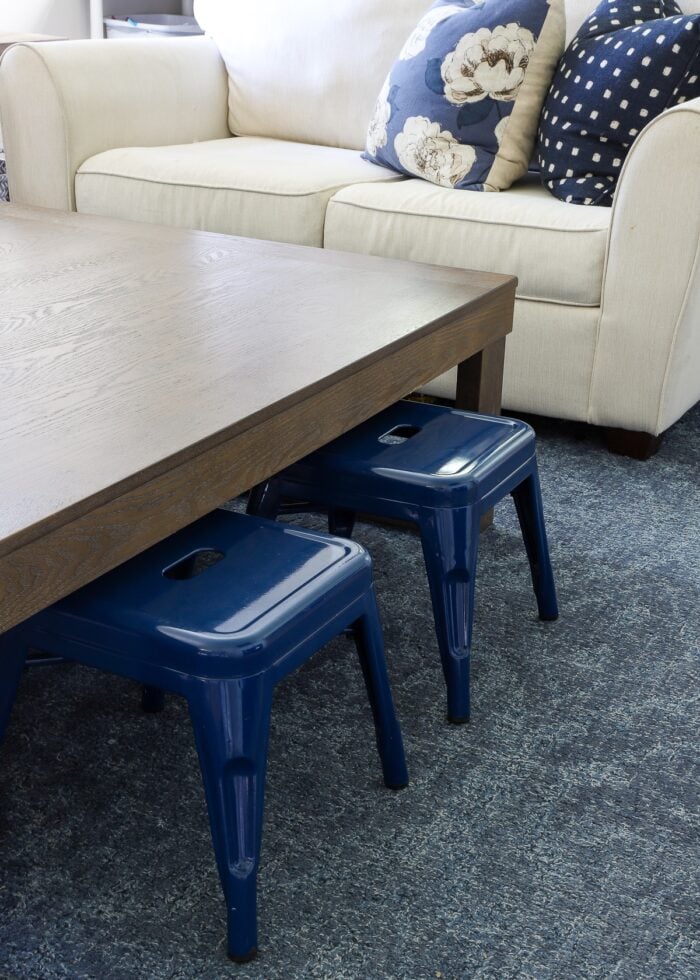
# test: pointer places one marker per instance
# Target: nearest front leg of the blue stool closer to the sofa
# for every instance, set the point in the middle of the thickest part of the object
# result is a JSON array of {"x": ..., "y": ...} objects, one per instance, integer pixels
[{"x": 450, "y": 539}]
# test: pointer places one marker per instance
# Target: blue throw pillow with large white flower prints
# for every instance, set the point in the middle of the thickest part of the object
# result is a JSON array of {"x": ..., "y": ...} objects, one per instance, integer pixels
[{"x": 461, "y": 104}]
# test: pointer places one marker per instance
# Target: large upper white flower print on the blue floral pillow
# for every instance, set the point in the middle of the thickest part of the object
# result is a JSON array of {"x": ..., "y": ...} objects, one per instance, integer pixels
[{"x": 488, "y": 63}]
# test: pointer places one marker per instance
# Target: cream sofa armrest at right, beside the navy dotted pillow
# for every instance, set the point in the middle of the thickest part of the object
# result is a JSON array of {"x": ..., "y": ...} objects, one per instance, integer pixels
[{"x": 646, "y": 370}]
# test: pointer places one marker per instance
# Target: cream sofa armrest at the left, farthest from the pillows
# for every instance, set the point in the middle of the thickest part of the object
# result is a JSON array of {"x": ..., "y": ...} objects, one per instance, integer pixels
[{"x": 63, "y": 102}]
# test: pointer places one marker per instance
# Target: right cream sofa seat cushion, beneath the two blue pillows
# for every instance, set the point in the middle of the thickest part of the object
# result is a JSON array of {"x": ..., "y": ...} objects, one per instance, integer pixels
[{"x": 556, "y": 250}]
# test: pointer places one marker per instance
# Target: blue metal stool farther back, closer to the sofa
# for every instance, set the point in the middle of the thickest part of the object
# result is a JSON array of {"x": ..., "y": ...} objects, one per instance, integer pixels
[{"x": 441, "y": 469}]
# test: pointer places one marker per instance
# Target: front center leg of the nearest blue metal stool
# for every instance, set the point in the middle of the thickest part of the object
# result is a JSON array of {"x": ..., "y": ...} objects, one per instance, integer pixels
[{"x": 231, "y": 721}]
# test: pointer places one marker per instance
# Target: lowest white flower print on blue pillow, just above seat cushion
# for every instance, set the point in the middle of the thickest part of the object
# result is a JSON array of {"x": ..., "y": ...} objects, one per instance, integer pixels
[{"x": 433, "y": 153}]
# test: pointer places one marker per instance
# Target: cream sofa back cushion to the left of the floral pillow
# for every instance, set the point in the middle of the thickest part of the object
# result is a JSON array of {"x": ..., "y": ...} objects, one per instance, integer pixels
[{"x": 307, "y": 70}]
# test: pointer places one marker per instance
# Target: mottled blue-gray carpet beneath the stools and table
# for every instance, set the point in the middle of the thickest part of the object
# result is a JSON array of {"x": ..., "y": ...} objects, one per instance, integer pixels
[{"x": 554, "y": 837}]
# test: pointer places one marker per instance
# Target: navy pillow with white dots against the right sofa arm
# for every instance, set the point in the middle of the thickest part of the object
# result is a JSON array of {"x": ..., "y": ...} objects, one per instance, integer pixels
[{"x": 629, "y": 61}]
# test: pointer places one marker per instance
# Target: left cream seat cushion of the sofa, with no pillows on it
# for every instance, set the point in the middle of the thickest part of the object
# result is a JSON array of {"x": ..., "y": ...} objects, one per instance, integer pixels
[{"x": 254, "y": 187}]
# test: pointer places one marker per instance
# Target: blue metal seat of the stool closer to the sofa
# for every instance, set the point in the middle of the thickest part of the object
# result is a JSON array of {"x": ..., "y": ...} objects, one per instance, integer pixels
[{"x": 424, "y": 454}]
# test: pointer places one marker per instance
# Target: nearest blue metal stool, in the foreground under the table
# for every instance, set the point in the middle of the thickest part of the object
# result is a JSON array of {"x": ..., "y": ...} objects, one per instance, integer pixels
[{"x": 219, "y": 613}]
